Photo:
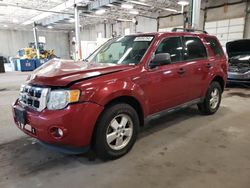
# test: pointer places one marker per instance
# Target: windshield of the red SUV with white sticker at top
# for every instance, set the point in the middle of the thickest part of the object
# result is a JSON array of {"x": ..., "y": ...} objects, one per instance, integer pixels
[{"x": 124, "y": 50}]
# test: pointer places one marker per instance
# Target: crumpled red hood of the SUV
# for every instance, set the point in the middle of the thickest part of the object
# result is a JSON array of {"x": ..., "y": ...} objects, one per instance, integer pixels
[{"x": 59, "y": 72}]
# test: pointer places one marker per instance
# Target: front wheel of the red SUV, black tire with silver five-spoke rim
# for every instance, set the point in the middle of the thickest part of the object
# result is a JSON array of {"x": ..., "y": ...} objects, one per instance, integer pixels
[{"x": 109, "y": 130}]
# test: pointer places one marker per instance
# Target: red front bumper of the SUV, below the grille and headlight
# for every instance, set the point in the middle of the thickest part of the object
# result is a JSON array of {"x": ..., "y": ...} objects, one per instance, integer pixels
[{"x": 77, "y": 121}]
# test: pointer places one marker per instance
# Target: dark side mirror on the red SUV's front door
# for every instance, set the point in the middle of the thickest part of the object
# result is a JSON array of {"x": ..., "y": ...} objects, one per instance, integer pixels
[{"x": 160, "y": 59}]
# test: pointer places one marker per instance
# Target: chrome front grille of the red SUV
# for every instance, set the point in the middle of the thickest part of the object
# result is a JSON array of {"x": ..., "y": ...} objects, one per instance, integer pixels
[{"x": 34, "y": 97}]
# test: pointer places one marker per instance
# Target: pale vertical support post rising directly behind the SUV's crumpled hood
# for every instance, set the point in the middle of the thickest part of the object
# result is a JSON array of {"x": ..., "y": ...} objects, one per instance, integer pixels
[{"x": 78, "y": 49}]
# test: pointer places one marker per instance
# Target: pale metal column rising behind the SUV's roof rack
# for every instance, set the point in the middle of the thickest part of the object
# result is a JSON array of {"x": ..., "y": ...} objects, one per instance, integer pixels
[{"x": 196, "y": 7}]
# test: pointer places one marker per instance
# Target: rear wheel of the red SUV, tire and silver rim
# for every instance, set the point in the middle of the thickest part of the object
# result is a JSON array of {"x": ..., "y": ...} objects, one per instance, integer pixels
[{"x": 210, "y": 105}]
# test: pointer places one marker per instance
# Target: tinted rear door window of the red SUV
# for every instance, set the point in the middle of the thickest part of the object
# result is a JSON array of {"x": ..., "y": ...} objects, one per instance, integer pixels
[{"x": 194, "y": 49}]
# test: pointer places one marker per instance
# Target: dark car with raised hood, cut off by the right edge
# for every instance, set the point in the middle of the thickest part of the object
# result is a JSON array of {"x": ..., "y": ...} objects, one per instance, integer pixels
[{"x": 239, "y": 61}]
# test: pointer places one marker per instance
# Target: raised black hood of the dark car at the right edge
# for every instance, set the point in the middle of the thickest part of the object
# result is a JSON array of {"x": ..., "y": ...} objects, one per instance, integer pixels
[{"x": 238, "y": 47}]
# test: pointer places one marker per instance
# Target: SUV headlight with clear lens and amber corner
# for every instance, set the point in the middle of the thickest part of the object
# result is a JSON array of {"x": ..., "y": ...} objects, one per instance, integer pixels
[{"x": 59, "y": 99}]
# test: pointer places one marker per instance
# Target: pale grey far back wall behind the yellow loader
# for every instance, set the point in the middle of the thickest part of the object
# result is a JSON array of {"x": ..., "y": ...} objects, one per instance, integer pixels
[{"x": 11, "y": 41}]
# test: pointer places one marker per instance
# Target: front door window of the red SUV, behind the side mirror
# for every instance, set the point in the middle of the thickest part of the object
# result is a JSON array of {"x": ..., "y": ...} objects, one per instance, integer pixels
[{"x": 173, "y": 46}]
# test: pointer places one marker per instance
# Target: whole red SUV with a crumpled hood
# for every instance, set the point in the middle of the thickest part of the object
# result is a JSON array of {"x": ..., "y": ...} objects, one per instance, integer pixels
[{"x": 102, "y": 102}]
